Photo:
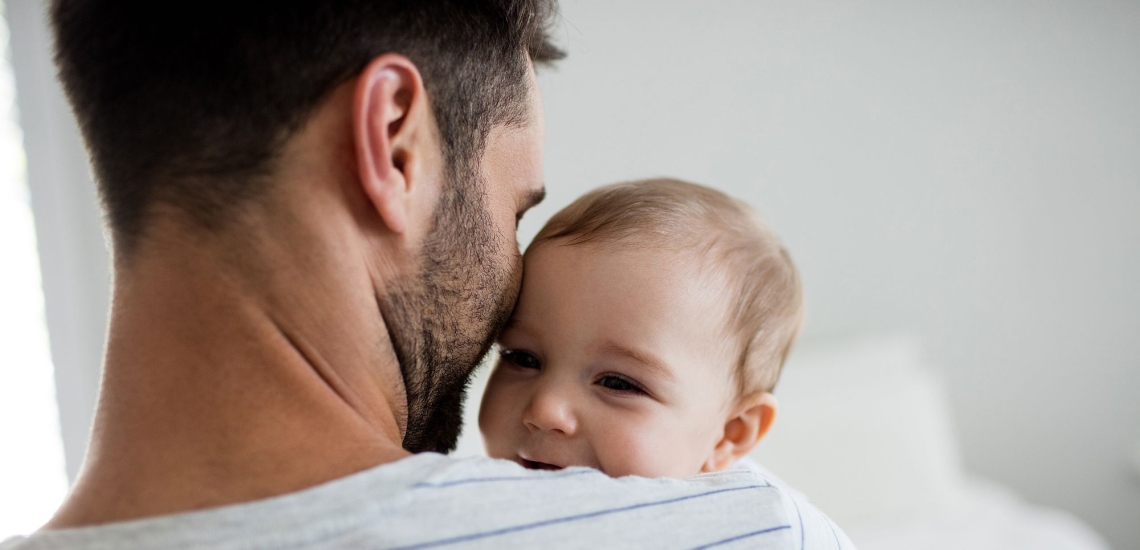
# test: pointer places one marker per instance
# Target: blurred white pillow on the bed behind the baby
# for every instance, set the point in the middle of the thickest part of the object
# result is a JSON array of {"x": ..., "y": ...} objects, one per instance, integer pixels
[{"x": 866, "y": 433}]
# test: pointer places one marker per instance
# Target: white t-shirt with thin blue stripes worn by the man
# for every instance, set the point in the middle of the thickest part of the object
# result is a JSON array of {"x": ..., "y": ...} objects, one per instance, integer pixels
[{"x": 433, "y": 502}]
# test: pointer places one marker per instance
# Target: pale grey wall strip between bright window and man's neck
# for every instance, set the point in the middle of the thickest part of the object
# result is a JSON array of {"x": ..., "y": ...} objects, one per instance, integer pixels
[{"x": 69, "y": 228}]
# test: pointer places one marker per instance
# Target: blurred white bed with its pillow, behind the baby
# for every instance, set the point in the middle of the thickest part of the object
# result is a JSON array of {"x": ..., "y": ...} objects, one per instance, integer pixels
[{"x": 865, "y": 431}]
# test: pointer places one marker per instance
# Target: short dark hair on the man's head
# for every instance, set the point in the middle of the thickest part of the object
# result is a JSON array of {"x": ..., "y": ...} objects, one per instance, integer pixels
[{"x": 189, "y": 104}]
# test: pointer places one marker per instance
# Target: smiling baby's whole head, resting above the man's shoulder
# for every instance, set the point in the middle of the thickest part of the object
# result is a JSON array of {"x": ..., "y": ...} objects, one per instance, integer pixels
[{"x": 654, "y": 321}]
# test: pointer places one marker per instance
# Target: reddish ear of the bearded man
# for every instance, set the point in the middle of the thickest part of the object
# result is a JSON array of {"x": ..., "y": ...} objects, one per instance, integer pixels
[{"x": 390, "y": 119}]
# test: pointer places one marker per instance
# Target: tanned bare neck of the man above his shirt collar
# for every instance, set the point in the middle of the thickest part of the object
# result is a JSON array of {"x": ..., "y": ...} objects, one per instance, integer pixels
[{"x": 221, "y": 387}]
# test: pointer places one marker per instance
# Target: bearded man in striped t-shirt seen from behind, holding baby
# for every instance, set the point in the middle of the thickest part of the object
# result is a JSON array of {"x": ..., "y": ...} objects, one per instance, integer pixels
[{"x": 313, "y": 207}]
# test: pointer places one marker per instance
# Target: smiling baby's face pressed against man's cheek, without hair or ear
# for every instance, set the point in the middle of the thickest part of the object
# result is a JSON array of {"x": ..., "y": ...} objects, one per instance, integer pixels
[{"x": 614, "y": 359}]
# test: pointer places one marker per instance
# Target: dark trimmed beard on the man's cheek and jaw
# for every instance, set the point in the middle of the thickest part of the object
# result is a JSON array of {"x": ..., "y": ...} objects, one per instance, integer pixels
[{"x": 444, "y": 321}]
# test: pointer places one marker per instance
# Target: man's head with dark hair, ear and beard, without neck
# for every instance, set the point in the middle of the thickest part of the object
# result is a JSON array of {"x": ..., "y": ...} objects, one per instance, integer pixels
[{"x": 196, "y": 115}]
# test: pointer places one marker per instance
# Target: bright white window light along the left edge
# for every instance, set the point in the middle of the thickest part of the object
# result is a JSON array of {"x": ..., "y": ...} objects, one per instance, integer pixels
[{"x": 34, "y": 480}]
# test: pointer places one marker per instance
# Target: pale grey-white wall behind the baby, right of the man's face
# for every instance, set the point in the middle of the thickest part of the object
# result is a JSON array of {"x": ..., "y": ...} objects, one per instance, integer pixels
[{"x": 968, "y": 172}]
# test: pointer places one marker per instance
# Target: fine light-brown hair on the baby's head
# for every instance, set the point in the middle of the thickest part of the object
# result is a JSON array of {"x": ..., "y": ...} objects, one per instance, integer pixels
[{"x": 761, "y": 282}]
